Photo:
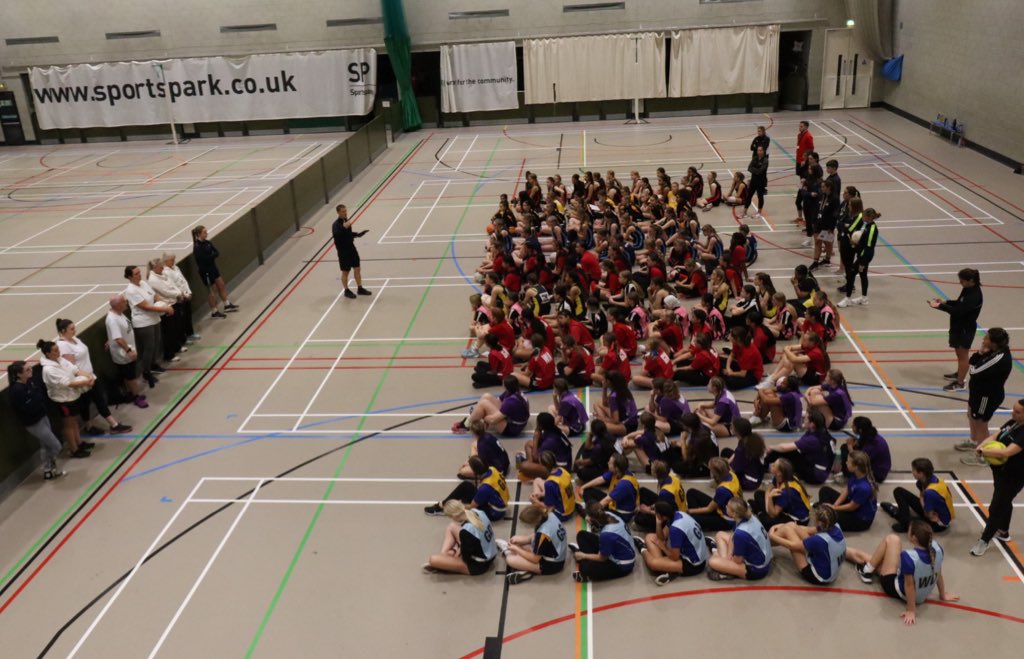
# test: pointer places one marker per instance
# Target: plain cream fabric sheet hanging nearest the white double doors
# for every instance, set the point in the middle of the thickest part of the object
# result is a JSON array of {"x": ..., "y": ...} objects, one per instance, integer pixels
[{"x": 724, "y": 61}]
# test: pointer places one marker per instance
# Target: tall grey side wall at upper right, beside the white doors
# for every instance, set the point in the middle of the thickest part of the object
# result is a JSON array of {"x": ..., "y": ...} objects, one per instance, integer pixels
[{"x": 964, "y": 60}]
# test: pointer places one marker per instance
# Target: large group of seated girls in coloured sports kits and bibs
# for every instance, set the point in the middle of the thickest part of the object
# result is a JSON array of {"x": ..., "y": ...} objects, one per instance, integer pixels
[{"x": 584, "y": 285}]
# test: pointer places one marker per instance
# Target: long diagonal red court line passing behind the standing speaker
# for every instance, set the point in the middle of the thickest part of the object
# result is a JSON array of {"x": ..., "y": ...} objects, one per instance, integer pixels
[{"x": 71, "y": 534}]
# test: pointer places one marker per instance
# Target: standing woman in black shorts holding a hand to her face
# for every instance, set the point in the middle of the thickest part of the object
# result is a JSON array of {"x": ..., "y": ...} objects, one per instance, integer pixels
[{"x": 990, "y": 371}]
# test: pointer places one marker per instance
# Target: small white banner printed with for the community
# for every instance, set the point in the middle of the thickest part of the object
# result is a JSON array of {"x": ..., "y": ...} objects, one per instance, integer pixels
[{"x": 480, "y": 77}]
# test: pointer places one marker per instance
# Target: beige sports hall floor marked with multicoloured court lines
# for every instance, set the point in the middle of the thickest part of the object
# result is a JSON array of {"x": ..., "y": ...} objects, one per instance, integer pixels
[{"x": 272, "y": 505}]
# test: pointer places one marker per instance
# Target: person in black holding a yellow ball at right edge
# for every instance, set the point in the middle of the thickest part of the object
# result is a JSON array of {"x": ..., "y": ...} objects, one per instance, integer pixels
[{"x": 1008, "y": 479}]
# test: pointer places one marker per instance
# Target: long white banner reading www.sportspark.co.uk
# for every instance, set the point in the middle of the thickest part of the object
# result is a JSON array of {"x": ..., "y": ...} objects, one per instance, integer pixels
[{"x": 206, "y": 90}]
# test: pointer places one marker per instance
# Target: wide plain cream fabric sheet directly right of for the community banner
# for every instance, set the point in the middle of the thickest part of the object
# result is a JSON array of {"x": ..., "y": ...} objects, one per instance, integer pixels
[{"x": 606, "y": 68}]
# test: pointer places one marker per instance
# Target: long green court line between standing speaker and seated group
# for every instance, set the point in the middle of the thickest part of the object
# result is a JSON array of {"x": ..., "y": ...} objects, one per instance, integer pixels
[{"x": 373, "y": 402}]
